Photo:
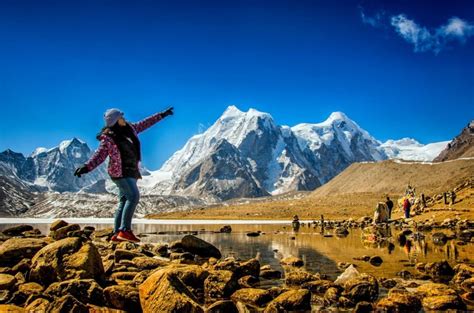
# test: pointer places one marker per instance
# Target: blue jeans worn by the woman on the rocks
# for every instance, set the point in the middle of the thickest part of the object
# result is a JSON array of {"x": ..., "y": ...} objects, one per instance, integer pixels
[{"x": 128, "y": 200}]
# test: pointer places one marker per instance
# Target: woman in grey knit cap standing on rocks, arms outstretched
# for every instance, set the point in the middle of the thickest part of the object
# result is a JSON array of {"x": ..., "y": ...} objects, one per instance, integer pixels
[{"x": 119, "y": 141}]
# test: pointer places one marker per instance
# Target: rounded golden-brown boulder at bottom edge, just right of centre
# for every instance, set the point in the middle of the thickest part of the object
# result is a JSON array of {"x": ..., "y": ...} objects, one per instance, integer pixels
[{"x": 293, "y": 300}]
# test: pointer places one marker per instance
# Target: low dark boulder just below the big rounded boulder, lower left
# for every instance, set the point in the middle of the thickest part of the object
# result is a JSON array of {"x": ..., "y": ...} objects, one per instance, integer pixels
[{"x": 84, "y": 290}]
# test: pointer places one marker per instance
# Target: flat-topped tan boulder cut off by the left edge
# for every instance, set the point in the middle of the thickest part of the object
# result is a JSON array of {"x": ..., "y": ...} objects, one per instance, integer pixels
[{"x": 14, "y": 250}]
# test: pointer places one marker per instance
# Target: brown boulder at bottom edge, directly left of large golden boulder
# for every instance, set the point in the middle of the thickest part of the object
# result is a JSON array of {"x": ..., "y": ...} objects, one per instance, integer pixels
[{"x": 123, "y": 298}]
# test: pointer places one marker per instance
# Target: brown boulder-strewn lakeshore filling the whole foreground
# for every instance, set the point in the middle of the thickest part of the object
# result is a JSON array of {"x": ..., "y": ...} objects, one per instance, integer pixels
[{"x": 74, "y": 268}]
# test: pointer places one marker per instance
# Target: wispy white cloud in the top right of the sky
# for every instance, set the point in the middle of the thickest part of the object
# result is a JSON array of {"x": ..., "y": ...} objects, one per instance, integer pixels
[{"x": 422, "y": 38}]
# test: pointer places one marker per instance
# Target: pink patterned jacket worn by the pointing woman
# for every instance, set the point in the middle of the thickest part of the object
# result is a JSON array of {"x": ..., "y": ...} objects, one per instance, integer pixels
[{"x": 108, "y": 148}]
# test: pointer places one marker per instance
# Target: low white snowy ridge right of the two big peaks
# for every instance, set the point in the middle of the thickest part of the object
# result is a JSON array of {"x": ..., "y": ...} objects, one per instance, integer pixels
[{"x": 411, "y": 150}]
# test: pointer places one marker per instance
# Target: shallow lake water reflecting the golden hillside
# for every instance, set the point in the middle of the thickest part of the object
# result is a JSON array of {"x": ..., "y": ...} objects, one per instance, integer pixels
[{"x": 319, "y": 252}]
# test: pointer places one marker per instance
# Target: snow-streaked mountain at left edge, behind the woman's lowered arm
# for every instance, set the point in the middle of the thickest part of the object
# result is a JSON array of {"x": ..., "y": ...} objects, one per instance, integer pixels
[{"x": 53, "y": 169}]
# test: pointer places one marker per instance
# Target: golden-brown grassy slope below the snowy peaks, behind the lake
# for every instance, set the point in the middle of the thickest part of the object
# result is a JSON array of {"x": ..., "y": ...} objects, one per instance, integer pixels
[{"x": 353, "y": 193}]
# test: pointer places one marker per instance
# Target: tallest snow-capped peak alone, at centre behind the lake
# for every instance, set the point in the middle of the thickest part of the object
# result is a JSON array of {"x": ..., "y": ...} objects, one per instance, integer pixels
[{"x": 270, "y": 158}]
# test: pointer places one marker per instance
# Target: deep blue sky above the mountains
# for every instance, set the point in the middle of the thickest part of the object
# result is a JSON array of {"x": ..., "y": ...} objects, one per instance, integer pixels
[{"x": 63, "y": 63}]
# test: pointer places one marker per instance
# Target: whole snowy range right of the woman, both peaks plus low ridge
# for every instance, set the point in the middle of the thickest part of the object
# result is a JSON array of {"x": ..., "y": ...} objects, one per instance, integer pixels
[{"x": 275, "y": 159}]
